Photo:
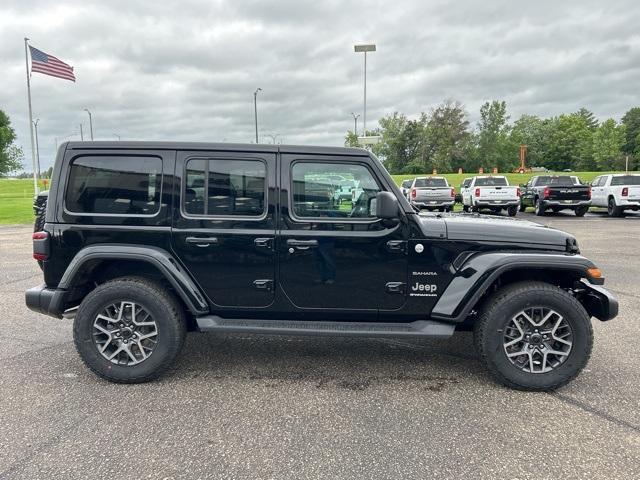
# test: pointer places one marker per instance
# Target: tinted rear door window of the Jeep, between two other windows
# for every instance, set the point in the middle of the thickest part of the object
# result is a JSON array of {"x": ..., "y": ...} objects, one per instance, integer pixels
[{"x": 217, "y": 187}]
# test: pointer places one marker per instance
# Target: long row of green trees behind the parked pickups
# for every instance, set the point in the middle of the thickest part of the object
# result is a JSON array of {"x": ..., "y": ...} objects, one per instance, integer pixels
[{"x": 443, "y": 140}]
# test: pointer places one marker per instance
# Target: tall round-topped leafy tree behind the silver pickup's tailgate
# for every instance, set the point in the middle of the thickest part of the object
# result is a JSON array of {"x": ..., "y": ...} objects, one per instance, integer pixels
[{"x": 448, "y": 139}]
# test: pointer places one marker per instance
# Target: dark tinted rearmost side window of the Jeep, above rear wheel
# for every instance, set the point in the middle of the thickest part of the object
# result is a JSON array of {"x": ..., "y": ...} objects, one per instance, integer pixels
[{"x": 116, "y": 185}]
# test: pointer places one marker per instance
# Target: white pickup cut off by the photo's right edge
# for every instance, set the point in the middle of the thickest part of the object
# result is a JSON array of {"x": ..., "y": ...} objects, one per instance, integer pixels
[{"x": 616, "y": 192}]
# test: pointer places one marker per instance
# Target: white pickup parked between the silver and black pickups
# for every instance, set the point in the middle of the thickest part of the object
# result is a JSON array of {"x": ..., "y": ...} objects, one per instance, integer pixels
[{"x": 492, "y": 193}]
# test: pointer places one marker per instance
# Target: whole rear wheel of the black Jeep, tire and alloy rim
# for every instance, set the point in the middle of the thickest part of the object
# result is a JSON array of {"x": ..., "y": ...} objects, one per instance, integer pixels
[{"x": 129, "y": 330}]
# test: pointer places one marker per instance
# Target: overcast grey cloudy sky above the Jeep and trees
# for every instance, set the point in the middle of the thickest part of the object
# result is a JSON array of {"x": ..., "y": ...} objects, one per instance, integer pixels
[{"x": 187, "y": 70}]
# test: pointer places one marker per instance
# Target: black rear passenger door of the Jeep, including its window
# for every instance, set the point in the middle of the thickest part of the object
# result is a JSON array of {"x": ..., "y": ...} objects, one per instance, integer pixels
[{"x": 224, "y": 228}]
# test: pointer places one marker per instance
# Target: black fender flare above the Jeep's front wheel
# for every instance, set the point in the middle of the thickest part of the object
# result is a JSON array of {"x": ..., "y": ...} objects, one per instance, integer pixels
[{"x": 480, "y": 270}]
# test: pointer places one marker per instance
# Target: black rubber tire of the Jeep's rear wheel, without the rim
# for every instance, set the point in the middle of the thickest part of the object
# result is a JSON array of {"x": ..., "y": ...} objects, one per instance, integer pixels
[{"x": 164, "y": 309}]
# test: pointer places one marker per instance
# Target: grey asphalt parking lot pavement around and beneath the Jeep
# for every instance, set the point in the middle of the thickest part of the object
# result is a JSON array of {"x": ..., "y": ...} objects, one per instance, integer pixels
[{"x": 297, "y": 407}]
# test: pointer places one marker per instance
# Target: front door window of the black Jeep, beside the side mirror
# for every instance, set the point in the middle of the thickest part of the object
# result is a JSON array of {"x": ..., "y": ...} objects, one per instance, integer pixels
[{"x": 333, "y": 191}]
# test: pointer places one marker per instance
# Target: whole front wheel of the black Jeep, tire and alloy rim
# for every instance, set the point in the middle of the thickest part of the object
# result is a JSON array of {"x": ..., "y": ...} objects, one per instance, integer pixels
[{"x": 533, "y": 336}]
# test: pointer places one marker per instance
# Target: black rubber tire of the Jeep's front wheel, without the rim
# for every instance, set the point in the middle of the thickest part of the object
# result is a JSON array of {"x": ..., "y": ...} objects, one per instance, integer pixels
[{"x": 496, "y": 314}]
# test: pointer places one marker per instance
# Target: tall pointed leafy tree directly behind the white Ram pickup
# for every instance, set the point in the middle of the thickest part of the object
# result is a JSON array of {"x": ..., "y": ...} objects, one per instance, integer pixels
[{"x": 495, "y": 148}]
